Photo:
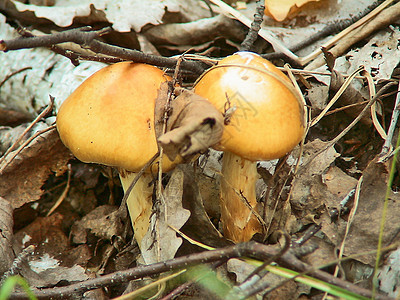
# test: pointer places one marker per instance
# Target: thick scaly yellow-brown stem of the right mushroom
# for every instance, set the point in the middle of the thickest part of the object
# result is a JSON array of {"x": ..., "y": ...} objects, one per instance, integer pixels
[{"x": 238, "y": 186}]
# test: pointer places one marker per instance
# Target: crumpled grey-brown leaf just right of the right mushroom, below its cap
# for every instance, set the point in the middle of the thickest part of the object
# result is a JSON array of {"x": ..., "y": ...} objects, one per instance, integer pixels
[{"x": 320, "y": 188}]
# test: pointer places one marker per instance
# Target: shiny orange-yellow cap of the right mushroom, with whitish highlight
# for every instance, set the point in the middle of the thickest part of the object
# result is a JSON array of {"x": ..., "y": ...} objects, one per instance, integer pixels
[{"x": 267, "y": 116}]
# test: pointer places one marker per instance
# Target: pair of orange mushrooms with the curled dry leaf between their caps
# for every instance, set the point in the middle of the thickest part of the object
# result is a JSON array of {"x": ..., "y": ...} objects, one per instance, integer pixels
[{"x": 252, "y": 113}]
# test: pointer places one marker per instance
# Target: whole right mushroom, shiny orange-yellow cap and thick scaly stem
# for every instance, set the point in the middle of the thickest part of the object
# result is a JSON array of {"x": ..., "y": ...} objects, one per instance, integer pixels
[{"x": 264, "y": 119}]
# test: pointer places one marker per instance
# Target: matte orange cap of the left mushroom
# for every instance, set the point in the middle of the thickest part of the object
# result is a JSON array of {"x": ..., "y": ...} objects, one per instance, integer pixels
[{"x": 109, "y": 118}]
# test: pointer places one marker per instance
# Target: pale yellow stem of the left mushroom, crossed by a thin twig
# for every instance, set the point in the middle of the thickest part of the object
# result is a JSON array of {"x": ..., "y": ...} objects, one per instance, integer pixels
[{"x": 139, "y": 202}]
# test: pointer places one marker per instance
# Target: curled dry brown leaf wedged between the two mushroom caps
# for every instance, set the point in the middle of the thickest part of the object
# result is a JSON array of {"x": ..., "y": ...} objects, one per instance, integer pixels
[{"x": 193, "y": 126}]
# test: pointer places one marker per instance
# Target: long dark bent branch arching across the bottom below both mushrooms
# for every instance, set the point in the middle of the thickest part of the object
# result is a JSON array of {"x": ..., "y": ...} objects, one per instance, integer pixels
[{"x": 250, "y": 249}]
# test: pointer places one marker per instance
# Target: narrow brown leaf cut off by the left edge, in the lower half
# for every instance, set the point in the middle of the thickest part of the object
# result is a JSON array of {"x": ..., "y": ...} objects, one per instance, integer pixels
[{"x": 6, "y": 230}]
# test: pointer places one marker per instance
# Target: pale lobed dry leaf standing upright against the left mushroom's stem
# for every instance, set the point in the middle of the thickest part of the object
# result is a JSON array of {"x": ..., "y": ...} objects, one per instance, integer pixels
[{"x": 161, "y": 242}]
